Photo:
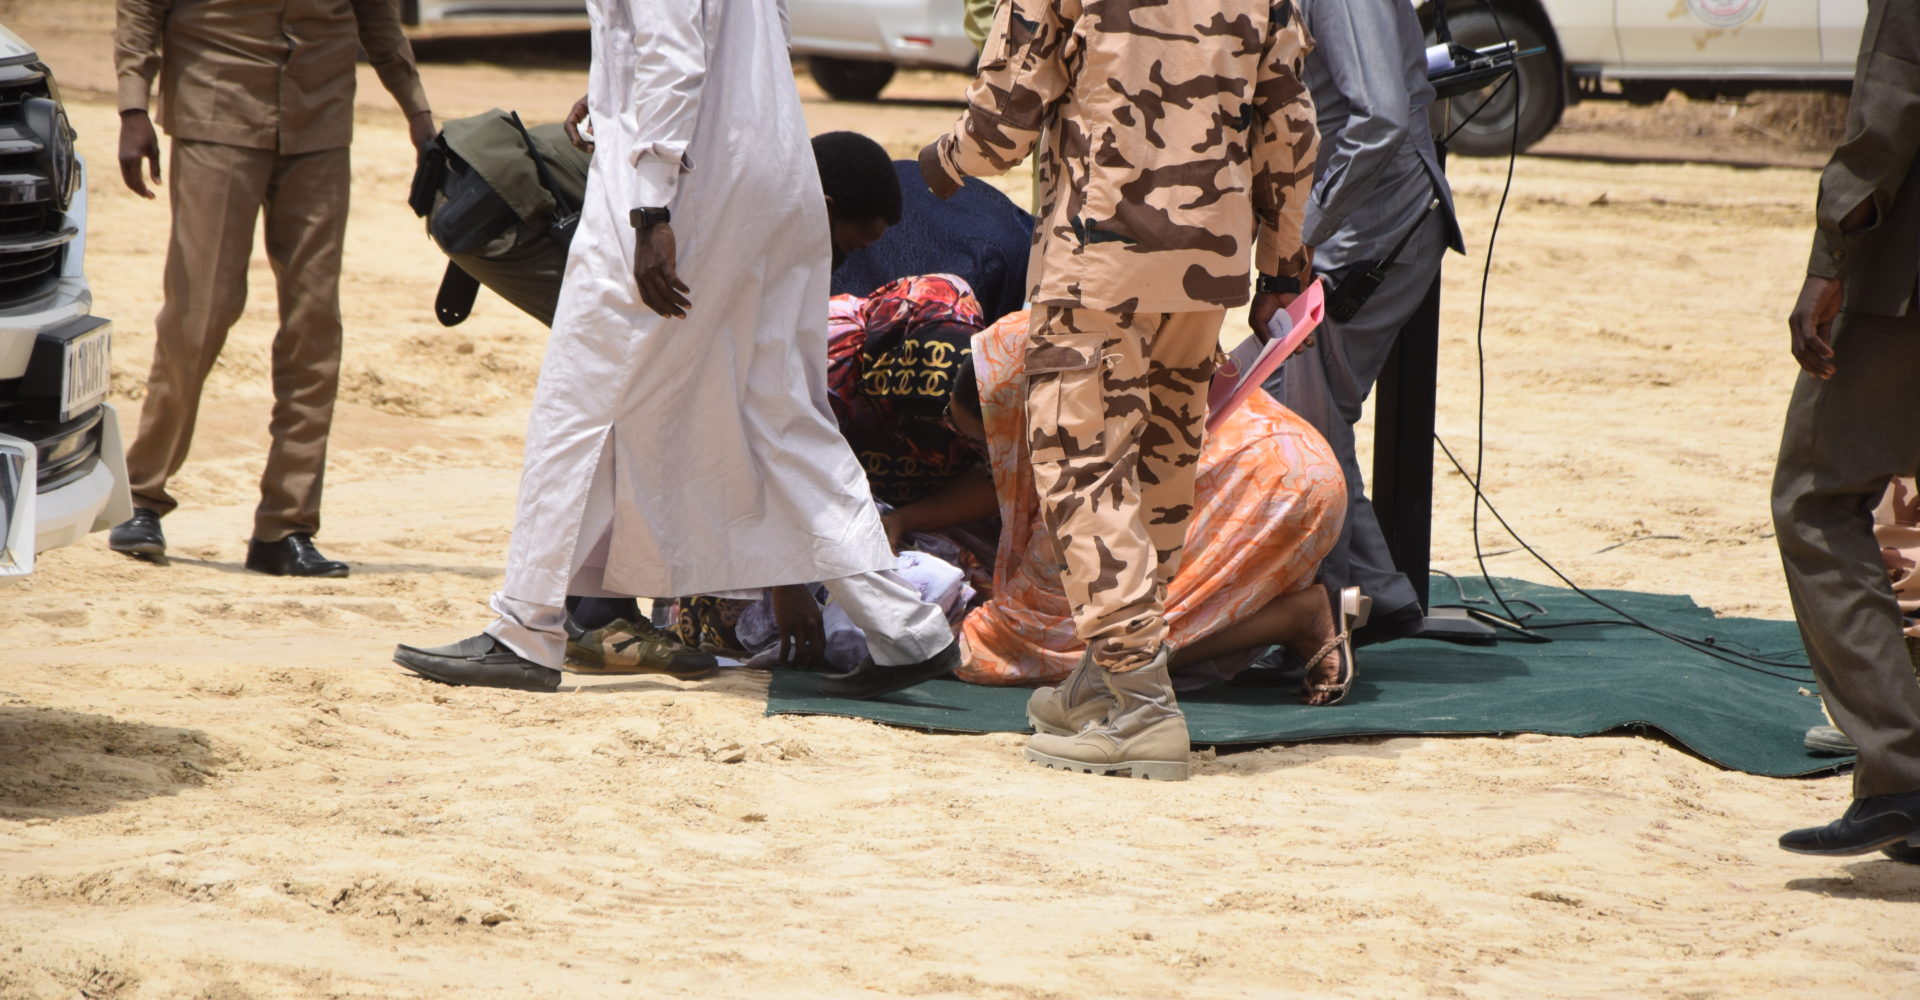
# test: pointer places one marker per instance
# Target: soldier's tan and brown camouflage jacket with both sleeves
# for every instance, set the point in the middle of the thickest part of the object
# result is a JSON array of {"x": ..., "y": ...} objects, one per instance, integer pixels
[{"x": 1174, "y": 133}]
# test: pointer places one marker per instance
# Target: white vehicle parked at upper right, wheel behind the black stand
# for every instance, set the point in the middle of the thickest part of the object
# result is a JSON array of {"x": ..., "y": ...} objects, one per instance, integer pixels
[{"x": 1648, "y": 47}]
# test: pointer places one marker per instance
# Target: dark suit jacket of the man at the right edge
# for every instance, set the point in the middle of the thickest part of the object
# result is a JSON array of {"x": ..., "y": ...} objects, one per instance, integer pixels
[{"x": 1881, "y": 162}]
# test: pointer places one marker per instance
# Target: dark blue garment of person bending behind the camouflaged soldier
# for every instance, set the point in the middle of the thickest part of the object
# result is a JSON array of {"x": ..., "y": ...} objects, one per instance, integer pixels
[{"x": 978, "y": 233}]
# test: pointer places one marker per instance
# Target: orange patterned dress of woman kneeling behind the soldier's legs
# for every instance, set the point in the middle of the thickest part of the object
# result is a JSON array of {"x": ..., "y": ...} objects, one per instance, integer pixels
[{"x": 1270, "y": 502}]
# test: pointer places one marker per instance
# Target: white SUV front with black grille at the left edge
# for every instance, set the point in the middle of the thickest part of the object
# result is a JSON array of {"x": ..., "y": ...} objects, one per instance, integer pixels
[{"x": 62, "y": 467}]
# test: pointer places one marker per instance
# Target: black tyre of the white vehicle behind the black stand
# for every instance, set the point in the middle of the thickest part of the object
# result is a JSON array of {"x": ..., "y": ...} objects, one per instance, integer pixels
[{"x": 1543, "y": 87}]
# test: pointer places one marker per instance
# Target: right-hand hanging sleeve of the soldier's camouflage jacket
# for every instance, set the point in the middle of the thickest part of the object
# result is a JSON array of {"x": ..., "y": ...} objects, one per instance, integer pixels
[{"x": 1285, "y": 141}]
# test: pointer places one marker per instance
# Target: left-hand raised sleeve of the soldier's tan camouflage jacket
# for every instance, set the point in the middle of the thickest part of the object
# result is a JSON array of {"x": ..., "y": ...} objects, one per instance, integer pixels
[{"x": 1022, "y": 76}]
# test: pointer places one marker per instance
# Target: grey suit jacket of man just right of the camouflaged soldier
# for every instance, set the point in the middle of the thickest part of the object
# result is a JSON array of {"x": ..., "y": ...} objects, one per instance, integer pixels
[{"x": 1378, "y": 168}]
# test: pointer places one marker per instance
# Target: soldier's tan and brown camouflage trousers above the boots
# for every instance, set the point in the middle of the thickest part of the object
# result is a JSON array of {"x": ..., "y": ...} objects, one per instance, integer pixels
[{"x": 1116, "y": 416}]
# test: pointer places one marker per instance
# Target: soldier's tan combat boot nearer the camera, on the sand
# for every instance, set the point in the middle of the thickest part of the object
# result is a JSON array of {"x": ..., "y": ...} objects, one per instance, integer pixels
[{"x": 1145, "y": 734}]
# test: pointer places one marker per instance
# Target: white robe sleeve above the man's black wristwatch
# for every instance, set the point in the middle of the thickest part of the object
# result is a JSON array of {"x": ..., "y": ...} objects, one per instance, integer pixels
[{"x": 669, "y": 76}]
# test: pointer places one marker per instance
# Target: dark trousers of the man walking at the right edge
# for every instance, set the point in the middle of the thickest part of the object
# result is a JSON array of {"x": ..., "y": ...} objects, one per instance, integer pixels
[{"x": 1844, "y": 440}]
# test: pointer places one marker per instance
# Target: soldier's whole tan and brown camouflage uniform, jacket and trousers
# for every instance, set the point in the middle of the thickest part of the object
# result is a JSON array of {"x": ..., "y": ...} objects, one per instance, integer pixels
[{"x": 1178, "y": 139}]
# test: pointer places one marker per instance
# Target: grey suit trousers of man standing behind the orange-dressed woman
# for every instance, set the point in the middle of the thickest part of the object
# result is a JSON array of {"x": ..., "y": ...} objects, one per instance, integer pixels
[{"x": 1330, "y": 383}]
